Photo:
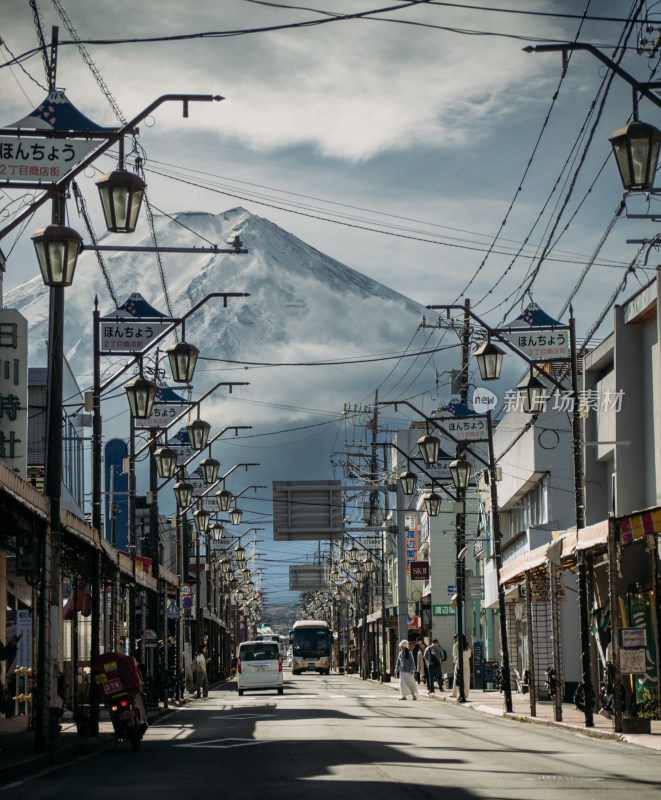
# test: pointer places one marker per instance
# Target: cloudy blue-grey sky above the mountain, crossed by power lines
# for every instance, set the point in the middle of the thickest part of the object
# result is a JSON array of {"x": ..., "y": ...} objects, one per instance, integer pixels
[{"x": 417, "y": 144}]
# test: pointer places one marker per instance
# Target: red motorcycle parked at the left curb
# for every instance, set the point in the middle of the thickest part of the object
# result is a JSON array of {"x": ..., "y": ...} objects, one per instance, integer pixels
[{"x": 119, "y": 685}]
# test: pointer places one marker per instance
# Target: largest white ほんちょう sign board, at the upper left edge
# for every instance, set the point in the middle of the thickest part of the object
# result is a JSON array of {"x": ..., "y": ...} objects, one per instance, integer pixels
[{"x": 24, "y": 158}]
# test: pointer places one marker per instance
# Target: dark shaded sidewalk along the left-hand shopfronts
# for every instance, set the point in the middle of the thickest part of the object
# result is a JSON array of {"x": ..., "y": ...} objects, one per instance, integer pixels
[{"x": 18, "y": 756}]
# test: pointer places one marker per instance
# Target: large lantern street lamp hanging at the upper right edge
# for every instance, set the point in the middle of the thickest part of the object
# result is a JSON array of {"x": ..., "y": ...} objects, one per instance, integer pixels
[{"x": 636, "y": 149}]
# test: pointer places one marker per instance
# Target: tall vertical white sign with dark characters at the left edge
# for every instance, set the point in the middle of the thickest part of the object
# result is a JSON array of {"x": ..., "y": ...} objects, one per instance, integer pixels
[{"x": 13, "y": 390}]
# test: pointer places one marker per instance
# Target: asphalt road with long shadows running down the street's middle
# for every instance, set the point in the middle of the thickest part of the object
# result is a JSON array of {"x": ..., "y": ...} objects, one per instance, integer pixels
[{"x": 337, "y": 737}]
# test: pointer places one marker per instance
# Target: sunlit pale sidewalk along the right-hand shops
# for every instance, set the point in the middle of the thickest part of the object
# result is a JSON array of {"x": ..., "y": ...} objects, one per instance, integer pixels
[{"x": 572, "y": 718}]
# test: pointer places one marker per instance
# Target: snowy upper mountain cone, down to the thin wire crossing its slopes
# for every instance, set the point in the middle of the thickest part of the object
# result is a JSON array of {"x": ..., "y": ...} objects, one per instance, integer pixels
[{"x": 303, "y": 305}]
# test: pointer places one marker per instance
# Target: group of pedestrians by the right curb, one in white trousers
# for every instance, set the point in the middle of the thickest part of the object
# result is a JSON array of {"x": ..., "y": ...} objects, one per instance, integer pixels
[{"x": 417, "y": 662}]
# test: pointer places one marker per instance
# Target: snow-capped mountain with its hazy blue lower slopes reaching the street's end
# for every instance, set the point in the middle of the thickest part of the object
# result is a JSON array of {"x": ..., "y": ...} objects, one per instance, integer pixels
[{"x": 304, "y": 310}]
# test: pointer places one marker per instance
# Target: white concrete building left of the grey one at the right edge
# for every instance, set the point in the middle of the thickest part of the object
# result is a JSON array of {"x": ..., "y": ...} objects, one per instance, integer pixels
[{"x": 536, "y": 499}]
